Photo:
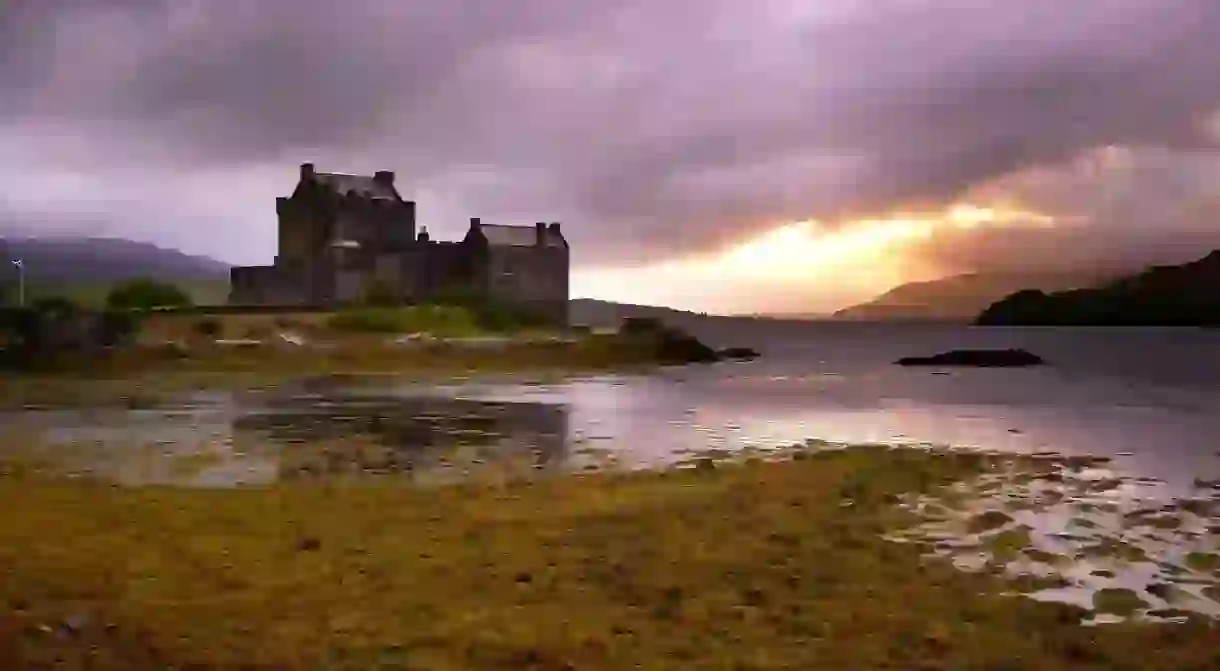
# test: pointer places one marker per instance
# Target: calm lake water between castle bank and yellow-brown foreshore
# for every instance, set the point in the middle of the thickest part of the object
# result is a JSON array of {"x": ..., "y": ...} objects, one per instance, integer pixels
[{"x": 1151, "y": 398}]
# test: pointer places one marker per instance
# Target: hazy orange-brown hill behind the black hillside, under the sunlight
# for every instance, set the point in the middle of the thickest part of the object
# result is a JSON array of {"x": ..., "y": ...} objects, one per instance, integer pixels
[{"x": 963, "y": 297}]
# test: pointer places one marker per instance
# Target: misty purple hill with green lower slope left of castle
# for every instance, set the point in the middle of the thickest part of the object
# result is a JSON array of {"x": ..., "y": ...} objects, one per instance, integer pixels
[{"x": 86, "y": 268}]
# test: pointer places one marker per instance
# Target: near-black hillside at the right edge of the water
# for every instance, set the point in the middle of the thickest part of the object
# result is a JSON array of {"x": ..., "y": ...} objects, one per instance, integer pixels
[{"x": 1188, "y": 295}]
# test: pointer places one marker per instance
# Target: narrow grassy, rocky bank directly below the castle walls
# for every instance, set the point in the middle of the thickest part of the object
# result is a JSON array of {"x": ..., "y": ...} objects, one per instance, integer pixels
[{"x": 185, "y": 350}]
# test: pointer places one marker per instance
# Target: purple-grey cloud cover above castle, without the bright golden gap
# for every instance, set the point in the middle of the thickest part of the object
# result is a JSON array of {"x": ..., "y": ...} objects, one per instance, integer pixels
[{"x": 652, "y": 127}]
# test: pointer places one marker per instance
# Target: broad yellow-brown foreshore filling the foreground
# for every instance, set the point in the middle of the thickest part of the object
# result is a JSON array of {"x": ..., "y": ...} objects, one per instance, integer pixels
[{"x": 769, "y": 565}]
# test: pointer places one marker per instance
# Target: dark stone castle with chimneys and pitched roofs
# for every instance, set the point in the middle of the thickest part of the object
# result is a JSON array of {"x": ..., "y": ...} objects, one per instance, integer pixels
[{"x": 342, "y": 236}]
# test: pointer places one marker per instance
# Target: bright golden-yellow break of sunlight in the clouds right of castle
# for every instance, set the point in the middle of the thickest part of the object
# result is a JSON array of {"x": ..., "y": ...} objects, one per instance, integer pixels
[{"x": 806, "y": 267}]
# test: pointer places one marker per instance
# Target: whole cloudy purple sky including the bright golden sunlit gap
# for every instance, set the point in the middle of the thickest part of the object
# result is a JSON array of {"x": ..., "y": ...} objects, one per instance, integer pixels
[{"x": 717, "y": 156}]
